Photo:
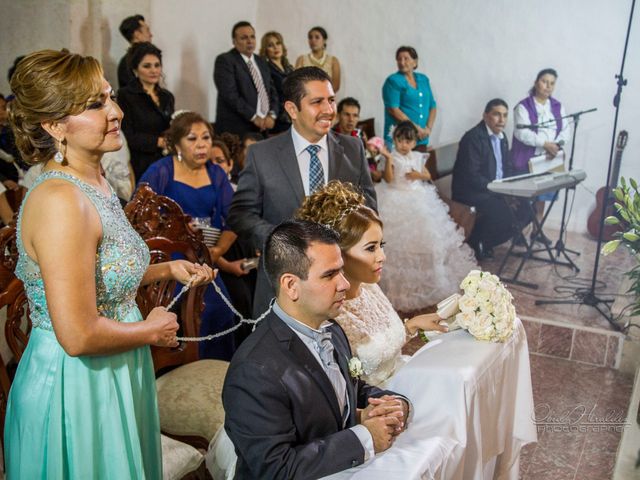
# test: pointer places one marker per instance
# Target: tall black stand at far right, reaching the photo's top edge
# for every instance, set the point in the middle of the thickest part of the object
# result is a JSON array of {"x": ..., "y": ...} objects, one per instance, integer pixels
[{"x": 589, "y": 297}]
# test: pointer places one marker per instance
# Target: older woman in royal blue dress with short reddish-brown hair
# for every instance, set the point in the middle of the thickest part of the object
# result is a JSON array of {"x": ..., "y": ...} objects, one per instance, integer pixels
[{"x": 204, "y": 192}]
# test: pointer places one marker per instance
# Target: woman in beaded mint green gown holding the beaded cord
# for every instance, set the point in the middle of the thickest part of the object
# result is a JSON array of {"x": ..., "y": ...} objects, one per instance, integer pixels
[{"x": 83, "y": 401}]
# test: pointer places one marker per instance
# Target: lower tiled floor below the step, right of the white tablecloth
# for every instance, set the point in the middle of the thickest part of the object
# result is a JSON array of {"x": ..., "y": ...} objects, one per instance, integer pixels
[{"x": 577, "y": 396}]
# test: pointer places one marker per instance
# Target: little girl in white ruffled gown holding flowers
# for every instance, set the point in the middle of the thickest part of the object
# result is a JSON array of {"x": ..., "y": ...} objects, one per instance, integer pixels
[{"x": 426, "y": 254}]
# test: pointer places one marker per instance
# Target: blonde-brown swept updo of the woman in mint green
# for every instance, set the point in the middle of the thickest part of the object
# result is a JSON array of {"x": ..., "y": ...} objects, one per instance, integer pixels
[{"x": 50, "y": 85}]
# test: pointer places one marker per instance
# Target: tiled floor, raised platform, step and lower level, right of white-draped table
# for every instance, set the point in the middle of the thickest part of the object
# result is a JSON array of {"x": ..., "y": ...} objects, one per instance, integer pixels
[{"x": 582, "y": 393}]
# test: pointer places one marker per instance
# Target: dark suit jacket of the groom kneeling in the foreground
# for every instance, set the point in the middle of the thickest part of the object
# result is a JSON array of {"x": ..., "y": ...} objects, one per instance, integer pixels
[{"x": 281, "y": 411}]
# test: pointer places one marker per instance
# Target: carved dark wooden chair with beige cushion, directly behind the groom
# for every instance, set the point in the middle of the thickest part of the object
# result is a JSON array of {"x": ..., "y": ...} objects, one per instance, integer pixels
[{"x": 190, "y": 395}]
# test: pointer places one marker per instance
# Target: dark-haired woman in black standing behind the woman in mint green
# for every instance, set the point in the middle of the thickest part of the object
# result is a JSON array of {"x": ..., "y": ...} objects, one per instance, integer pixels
[{"x": 147, "y": 107}]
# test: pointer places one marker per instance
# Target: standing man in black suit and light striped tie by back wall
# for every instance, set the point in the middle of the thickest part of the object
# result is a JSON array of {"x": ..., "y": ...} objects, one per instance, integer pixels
[{"x": 247, "y": 98}]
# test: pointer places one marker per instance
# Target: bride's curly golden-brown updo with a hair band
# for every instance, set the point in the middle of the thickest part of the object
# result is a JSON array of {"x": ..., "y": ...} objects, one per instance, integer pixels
[{"x": 340, "y": 206}]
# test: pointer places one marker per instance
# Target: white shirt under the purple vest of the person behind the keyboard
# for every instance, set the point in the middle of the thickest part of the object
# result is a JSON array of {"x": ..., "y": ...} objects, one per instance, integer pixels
[{"x": 544, "y": 134}]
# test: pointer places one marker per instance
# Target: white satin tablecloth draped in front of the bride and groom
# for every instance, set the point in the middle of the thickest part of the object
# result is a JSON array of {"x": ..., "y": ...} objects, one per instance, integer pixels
[{"x": 473, "y": 411}]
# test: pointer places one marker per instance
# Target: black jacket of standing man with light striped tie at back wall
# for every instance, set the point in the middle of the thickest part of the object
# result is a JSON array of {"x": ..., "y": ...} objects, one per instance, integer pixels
[{"x": 237, "y": 95}]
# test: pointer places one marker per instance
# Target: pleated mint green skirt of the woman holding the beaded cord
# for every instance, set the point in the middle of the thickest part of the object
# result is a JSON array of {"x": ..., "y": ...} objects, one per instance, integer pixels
[{"x": 82, "y": 417}]
